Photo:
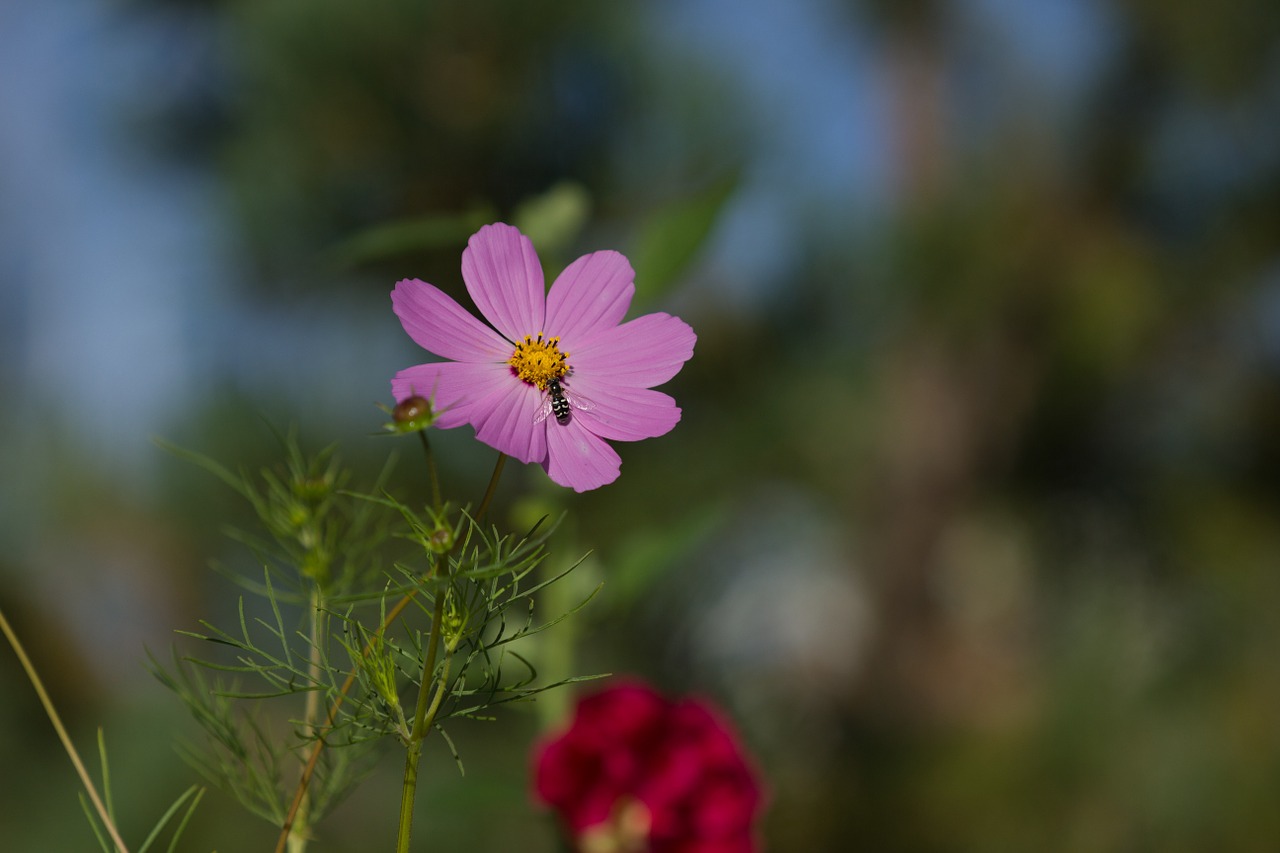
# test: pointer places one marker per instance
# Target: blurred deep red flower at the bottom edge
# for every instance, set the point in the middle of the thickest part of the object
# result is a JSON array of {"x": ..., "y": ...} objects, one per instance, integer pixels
[{"x": 638, "y": 773}]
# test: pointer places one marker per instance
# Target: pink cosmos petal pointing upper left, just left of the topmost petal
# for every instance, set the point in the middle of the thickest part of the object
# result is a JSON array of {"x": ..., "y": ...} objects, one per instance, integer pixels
[{"x": 441, "y": 326}]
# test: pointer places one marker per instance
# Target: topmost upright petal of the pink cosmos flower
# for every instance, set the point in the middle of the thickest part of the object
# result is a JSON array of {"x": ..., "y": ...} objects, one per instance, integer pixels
[{"x": 505, "y": 280}]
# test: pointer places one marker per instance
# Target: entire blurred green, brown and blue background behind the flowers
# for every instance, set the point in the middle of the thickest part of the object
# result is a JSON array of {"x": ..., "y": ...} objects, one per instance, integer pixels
[{"x": 972, "y": 518}]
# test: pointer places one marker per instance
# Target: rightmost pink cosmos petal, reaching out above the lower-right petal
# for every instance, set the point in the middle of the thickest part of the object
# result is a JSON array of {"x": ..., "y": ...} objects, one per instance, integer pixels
[{"x": 642, "y": 353}]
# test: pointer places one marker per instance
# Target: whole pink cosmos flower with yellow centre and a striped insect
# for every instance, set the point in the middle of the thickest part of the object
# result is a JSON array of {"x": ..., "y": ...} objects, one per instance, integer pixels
[{"x": 560, "y": 376}]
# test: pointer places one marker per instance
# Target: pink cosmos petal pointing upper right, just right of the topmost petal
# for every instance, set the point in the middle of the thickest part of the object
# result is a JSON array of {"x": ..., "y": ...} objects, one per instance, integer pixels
[{"x": 592, "y": 295}]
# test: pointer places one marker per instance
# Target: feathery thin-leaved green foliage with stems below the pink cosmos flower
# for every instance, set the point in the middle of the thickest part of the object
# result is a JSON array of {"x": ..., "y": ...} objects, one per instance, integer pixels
[{"x": 372, "y": 622}]
